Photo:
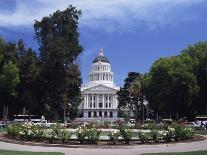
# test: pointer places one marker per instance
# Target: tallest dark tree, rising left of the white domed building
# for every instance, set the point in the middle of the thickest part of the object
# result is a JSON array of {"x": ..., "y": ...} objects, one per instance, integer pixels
[{"x": 58, "y": 37}]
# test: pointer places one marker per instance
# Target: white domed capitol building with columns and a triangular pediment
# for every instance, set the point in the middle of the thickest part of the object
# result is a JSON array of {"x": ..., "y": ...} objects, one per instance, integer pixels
[{"x": 99, "y": 94}]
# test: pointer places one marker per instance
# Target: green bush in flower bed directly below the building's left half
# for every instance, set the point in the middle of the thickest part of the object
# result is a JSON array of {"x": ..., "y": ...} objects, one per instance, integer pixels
[{"x": 93, "y": 135}]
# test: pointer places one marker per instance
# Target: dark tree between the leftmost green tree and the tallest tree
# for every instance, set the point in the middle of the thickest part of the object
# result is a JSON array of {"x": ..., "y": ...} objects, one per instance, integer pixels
[{"x": 27, "y": 89}]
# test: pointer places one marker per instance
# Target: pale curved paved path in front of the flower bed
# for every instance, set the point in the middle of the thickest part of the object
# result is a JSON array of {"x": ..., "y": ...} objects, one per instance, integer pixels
[{"x": 128, "y": 150}]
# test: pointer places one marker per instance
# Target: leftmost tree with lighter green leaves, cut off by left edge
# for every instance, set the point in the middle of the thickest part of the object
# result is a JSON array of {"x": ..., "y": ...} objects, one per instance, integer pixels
[{"x": 9, "y": 76}]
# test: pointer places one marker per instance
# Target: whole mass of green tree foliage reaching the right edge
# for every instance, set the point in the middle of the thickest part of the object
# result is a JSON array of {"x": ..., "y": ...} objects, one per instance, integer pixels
[{"x": 177, "y": 84}]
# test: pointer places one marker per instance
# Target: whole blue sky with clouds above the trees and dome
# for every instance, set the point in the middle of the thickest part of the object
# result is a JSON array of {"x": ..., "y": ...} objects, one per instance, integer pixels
[{"x": 133, "y": 33}]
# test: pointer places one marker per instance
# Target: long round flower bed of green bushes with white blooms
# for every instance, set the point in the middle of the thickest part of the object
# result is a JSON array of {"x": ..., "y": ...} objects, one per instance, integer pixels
[{"x": 92, "y": 135}]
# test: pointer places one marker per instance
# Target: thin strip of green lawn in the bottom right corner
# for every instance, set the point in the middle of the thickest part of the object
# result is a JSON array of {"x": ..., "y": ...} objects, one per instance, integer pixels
[{"x": 184, "y": 153}]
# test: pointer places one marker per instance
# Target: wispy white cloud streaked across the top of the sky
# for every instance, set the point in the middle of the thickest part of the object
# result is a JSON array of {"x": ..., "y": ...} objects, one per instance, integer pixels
[{"x": 108, "y": 15}]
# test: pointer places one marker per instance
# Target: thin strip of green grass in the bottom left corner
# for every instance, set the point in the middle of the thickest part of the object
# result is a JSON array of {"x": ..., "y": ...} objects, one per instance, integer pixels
[{"x": 5, "y": 152}]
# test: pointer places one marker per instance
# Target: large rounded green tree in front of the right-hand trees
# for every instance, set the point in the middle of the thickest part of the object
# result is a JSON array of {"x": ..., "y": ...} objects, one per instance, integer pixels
[{"x": 171, "y": 86}]
